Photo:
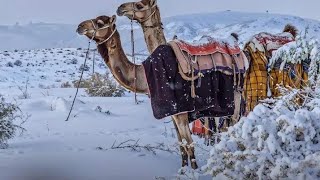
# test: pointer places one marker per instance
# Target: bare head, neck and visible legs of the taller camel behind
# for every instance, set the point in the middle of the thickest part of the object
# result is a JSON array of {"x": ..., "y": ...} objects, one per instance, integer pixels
[{"x": 147, "y": 14}]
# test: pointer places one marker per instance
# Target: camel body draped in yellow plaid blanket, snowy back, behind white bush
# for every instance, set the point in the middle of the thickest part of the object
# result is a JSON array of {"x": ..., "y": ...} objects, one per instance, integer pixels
[{"x": 257, "y": 82}]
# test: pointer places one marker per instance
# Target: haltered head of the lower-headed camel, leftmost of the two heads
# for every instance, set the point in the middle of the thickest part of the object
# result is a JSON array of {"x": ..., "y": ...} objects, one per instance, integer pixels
[{"x": 99, "y": 29}]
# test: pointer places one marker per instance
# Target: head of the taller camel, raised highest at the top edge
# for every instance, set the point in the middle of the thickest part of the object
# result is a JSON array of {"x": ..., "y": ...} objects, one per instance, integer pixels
[{"x": 140, "y": 11}]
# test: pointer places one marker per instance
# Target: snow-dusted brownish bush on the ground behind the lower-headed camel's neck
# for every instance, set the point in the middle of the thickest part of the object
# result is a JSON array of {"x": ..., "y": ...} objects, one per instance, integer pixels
[{"x": 104, "y": 86}]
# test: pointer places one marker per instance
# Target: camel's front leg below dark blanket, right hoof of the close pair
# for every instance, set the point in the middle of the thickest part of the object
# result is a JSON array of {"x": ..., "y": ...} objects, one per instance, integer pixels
[{"x": 184, "y": 130}]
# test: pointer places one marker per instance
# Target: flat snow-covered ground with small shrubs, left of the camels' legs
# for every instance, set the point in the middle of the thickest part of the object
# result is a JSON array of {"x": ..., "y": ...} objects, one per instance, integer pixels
[{"x": 81, "y": 147}]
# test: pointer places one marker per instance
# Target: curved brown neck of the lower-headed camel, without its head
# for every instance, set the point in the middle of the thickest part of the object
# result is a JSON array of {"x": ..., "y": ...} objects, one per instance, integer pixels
[{"x": 122, "y": 69}]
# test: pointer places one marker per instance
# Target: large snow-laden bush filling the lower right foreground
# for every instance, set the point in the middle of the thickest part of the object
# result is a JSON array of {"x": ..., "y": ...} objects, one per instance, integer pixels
[{"x": 270, "y": 144}]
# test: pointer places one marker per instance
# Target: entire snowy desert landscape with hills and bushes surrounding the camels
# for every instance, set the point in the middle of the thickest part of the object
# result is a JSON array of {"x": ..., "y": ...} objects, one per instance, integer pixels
[{"x": 115, "y": 138}]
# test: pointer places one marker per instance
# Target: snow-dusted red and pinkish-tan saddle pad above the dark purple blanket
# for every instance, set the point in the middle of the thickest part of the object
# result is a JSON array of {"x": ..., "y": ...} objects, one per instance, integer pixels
[{"x": 213, "y": 55}]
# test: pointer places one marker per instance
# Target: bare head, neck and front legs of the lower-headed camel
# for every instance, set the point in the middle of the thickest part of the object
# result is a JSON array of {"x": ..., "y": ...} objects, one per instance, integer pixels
[{"x": 103, "y": 31}]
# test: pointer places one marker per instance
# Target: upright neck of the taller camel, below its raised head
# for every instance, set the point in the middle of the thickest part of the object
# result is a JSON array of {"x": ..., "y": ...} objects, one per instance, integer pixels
[{"x": 153, "y": 32}]
